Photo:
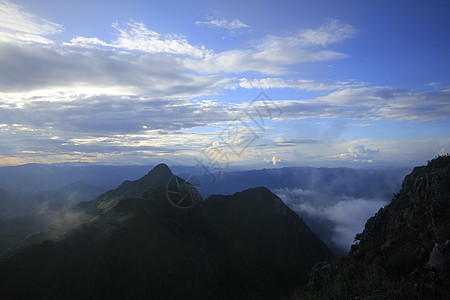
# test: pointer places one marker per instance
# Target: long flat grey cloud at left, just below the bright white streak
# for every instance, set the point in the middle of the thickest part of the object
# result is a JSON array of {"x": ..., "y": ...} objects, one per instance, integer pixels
[{"x": 113, "y": 115}]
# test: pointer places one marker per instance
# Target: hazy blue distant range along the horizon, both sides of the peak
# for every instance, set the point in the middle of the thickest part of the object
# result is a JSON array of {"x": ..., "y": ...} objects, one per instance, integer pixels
[{"x": 365, "y": 183}]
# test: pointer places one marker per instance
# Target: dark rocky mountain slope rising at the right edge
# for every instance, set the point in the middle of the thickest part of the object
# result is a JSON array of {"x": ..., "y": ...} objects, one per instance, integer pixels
[{"x": 404, "y": 250}]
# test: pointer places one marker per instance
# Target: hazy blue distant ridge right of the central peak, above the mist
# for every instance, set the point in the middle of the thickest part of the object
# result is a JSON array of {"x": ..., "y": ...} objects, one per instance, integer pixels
[{"x": 330, "y": 182}]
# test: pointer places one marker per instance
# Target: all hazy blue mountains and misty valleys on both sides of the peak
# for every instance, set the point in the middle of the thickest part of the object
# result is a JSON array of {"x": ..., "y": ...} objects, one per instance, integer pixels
[{"x": 314, "y": 193}]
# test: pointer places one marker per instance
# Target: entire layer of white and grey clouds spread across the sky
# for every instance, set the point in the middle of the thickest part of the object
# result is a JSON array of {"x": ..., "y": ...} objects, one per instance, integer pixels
[{"x": 138, "y": 92}]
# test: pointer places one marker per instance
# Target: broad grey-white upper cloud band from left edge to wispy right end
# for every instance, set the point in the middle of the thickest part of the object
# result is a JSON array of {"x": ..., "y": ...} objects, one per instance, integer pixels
[{"x": 150, "y": 63}]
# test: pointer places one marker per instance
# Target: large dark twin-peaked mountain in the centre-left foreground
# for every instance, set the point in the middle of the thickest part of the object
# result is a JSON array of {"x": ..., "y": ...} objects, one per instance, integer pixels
[{"x": 248, "y": 245}]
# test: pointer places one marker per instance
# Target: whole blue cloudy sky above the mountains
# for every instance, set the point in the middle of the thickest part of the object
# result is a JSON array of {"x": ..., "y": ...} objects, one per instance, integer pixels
[{"x": 220, "y": 84}]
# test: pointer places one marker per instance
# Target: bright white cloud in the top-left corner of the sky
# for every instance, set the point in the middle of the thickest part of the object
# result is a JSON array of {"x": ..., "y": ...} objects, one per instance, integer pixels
[{"x": 16, "y": 25}]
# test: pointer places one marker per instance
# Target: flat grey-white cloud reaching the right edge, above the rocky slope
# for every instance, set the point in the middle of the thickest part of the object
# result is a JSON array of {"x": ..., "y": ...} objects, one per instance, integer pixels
[{"x": 370, "y": 103}]
